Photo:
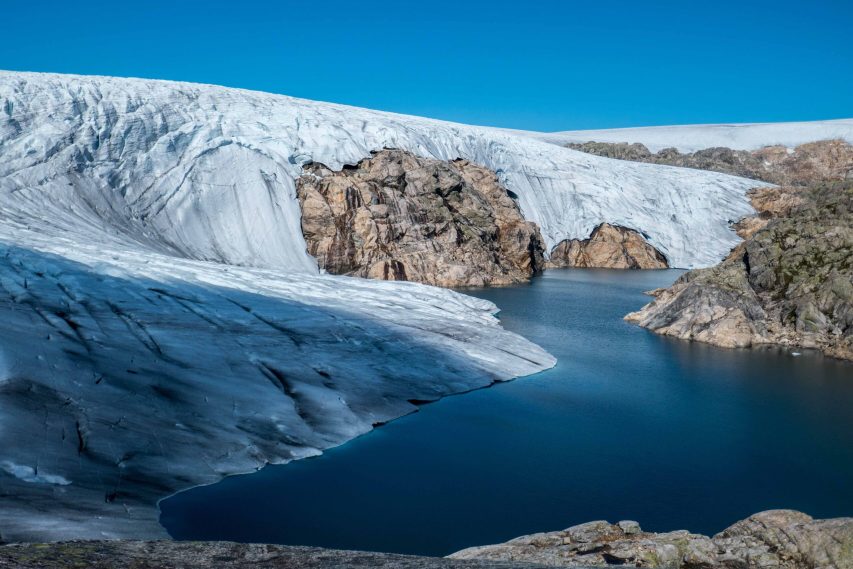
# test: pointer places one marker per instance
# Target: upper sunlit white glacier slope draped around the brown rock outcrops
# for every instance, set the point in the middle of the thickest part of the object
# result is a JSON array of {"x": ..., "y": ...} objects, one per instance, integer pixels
[{"x": 207, "y": 172}]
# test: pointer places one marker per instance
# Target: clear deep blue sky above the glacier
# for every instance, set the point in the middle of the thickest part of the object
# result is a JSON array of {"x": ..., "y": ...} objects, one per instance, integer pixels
[{"x": 543, "y": 65}]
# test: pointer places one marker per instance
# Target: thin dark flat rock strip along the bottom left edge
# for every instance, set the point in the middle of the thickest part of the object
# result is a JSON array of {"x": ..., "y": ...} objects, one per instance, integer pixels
[{"x": 214, "y": 555}]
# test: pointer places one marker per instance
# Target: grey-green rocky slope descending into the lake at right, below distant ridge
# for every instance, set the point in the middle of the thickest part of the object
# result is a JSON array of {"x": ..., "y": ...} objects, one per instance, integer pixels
[{"x": 790, "y": 282}]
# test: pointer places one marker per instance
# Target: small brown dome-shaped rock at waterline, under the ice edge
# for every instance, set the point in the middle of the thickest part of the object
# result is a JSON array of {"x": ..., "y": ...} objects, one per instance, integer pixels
[{"x": 610, "y": 247}]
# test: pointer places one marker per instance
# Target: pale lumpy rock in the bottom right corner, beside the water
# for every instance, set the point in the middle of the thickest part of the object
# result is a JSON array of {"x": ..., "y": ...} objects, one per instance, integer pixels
[{"x": 779, "y": 539}]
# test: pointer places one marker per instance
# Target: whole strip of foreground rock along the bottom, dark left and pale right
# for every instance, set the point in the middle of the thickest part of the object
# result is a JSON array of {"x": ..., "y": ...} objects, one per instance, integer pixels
[{"x": 778, "y": 539}]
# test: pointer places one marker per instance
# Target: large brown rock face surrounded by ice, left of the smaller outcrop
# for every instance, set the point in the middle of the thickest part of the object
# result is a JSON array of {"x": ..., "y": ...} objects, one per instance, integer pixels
[{"x": 395, "y": 216}]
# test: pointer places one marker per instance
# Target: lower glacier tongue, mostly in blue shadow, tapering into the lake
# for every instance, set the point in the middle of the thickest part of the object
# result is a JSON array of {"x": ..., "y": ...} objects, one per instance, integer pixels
[{"x": 127, "y": 377}]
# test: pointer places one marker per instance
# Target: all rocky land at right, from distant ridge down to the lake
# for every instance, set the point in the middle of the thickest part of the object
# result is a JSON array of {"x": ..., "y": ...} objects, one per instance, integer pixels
[{"x": 791, "y": 281}]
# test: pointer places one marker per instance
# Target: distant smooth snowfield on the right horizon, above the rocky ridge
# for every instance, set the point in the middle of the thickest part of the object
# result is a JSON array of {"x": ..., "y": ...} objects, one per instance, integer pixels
[{"x": 690, "y": 138}]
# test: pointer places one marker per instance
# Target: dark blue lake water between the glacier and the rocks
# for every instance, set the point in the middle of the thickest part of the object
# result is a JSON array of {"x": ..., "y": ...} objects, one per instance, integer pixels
[{"x": 629, "y": 425}]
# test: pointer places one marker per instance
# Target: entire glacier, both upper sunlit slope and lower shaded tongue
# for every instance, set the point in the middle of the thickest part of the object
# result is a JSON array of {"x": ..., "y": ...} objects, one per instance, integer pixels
[{"x": 163, "y": 325}]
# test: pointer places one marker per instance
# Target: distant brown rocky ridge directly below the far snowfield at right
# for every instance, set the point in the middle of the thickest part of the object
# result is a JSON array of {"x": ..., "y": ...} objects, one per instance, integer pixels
[{"x": 806, "y": 164}]
